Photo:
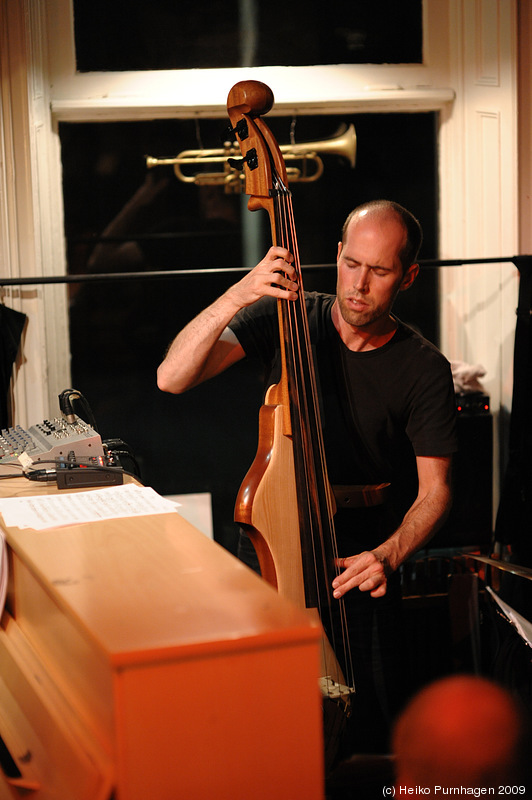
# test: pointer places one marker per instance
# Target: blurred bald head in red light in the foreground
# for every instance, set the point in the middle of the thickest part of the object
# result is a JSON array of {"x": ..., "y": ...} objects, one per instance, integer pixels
[{"x": 460, "y": 731}]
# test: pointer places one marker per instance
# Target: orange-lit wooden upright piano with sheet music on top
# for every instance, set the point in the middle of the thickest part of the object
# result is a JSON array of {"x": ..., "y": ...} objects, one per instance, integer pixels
[{"x": 140, "y": 660}]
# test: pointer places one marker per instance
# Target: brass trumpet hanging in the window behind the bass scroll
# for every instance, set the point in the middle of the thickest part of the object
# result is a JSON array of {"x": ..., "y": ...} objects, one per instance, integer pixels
[{"x": 344, "y": 144}]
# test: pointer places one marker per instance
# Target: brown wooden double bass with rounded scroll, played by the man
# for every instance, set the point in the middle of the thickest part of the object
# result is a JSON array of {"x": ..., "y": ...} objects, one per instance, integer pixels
[{"x": 285, "y": 503}]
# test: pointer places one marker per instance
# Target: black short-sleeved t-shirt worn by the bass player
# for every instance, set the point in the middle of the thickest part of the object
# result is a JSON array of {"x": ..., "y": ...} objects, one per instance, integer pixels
[{"x": 380, "y": 408}]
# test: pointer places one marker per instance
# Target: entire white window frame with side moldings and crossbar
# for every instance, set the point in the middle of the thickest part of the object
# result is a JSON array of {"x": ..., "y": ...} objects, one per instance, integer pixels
[{"x": 468, "y": 75}]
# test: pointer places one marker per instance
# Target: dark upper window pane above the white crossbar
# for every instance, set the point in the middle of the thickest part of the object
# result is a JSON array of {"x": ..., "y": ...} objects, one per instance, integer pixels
[{"x": 164, "y": 34}]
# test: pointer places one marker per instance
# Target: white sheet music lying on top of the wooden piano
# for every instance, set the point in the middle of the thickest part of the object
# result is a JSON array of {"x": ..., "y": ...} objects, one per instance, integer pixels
[{"x": 52, "y": 511}]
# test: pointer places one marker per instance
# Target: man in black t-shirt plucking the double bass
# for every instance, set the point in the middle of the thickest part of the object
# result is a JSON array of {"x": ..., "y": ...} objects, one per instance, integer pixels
[{"x": 388, "y": 416}]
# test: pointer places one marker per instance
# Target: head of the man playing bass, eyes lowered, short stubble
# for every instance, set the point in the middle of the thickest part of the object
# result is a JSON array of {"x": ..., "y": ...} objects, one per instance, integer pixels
[{"x": 370, "y": 273}]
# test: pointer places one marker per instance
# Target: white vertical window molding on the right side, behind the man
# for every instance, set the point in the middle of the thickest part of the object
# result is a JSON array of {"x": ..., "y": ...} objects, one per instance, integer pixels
[{"x": 479, "y": 200}]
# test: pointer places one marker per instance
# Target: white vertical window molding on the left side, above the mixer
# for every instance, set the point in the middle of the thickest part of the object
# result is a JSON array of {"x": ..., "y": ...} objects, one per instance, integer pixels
[{"x": 32, "y": 211}]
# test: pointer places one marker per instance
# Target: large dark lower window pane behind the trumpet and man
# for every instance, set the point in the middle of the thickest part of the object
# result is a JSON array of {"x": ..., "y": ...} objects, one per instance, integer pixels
[{"x": 122, "y": 218}]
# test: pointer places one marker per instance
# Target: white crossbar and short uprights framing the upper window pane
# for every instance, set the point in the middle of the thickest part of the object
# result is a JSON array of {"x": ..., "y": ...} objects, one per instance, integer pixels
[{"x": 202, "y": 92}]
